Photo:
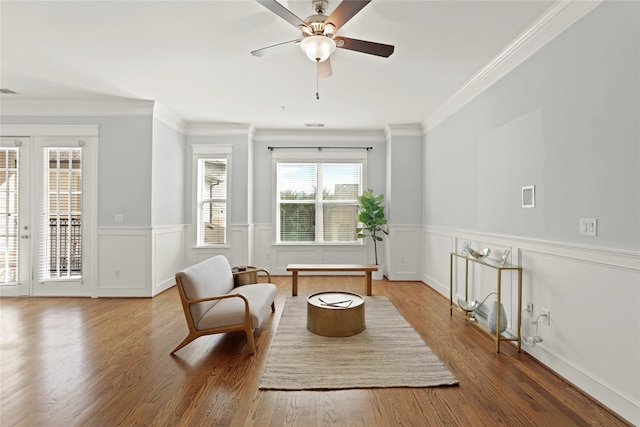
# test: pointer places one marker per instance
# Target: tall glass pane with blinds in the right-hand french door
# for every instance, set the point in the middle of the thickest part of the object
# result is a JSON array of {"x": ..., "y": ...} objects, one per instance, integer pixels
[{"x": 61, "y": 243}]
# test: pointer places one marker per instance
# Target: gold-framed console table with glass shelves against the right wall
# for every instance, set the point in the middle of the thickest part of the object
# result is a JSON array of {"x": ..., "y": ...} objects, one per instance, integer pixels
[{"x": 498, "y": 337}]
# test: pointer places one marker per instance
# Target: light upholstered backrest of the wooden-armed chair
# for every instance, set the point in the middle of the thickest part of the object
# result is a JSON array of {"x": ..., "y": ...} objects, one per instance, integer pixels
[{"x": 211, "y": 277}]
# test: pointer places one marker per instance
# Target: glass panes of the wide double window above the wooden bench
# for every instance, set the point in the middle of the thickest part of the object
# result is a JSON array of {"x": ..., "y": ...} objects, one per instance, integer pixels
[{"x": 305, "y": 214}]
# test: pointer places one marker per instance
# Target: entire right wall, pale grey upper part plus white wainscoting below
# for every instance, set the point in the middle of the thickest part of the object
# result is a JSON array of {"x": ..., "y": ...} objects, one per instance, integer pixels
[{"x": 566, "y": 121}]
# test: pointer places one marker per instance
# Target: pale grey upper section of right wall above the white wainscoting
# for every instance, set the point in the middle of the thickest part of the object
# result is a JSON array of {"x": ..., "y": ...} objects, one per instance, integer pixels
[{"x": 566, "y": 121}]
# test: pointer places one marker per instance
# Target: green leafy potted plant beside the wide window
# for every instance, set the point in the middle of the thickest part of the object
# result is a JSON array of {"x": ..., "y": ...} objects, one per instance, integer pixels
[{"x": 371, "y": 216}]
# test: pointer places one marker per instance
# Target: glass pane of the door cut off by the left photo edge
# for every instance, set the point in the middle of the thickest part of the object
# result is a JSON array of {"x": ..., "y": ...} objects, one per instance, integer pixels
[{"x": 9, "y": 198}]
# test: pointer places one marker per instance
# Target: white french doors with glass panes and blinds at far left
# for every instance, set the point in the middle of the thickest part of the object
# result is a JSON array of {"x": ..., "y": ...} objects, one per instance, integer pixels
[{"x": 47, "y": 215}]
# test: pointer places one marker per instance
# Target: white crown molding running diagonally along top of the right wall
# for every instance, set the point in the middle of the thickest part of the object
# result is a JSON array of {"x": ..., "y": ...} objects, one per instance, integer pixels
[{"x": 554, "y": 21}]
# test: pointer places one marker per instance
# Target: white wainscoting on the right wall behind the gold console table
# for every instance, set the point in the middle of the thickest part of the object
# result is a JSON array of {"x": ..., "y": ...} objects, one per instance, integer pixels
[{"x": 592, "y": 294}]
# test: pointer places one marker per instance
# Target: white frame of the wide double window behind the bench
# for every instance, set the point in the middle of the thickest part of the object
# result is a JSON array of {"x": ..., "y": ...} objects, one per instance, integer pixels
[{"x": 324, "y": 156}]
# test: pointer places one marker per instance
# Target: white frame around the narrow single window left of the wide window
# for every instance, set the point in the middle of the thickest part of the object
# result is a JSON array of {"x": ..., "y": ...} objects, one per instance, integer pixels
[{"x": 205, "y": 152}]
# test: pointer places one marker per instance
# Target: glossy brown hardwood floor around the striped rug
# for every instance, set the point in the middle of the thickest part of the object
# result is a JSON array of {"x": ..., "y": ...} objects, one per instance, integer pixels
[{"x": 105, "y": 362}]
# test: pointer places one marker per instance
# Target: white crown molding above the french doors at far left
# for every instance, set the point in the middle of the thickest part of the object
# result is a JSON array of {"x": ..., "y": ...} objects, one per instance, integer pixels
[{"x": 75, "y": 107}]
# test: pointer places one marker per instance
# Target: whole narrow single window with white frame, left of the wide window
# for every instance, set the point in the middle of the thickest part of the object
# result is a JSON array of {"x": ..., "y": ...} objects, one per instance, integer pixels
[{"x": 211, "y": 166}]
